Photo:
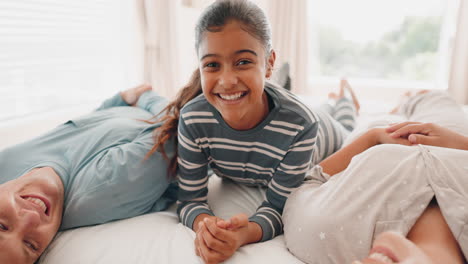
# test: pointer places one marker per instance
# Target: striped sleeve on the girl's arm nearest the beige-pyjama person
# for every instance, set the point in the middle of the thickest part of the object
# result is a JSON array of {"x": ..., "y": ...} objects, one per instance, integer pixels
[{"x": 288, "y": 176}]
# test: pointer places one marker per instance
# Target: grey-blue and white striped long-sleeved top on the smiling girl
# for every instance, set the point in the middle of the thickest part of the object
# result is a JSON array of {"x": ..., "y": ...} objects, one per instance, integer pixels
[{"x": 275, "y": 154}]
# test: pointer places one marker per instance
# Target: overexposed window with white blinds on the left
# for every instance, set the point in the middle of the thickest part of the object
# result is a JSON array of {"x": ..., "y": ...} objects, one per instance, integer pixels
[{"x": 59, "y": 53}]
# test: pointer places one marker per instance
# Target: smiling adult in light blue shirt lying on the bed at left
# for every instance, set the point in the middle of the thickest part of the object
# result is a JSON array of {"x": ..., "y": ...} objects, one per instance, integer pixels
[{"x": 90, "y": 170}]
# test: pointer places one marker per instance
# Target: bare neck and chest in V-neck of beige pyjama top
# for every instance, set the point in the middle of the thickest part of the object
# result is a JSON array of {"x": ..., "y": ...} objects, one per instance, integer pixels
[{"x": 432, "y": 234}]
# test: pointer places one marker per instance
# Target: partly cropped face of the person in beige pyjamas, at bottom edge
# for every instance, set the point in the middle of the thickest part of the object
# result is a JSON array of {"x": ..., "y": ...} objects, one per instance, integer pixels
[{"x": 390, "y": 247}]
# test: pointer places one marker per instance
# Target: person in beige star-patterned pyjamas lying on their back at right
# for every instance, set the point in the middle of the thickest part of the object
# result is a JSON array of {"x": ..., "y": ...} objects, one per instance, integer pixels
[{"x": 418, "y": 192}]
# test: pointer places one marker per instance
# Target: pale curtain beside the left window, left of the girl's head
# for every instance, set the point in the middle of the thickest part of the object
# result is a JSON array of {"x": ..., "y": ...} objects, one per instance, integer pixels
[{"x": 161, "y": 59}]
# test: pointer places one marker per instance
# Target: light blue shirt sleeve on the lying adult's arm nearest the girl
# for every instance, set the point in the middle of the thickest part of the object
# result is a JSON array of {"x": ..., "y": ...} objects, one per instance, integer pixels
[{"x": 117, "y": 183}]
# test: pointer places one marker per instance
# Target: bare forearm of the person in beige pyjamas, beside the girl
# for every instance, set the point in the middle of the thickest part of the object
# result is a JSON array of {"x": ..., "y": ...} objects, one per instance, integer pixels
[{"x": 341, "y": 159}]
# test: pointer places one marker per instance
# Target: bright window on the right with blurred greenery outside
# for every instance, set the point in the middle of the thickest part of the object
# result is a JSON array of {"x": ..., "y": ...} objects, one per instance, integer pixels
[{"x": 399, "y": 42}]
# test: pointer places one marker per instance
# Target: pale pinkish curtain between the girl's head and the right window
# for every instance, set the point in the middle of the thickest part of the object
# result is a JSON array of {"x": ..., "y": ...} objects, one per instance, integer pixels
[{"x": 289, "y": 27}]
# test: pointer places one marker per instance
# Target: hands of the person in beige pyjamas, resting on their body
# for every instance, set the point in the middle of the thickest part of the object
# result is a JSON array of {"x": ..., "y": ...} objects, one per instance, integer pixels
[{"x": 428, "y": 134}]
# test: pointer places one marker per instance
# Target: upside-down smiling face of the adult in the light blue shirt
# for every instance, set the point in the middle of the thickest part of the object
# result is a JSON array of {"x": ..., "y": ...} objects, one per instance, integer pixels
[{"x": 30, "y": 214}]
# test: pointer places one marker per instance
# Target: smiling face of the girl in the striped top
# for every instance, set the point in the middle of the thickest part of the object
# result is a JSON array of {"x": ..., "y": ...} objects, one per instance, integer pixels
[{"x": 233, "y": 67}]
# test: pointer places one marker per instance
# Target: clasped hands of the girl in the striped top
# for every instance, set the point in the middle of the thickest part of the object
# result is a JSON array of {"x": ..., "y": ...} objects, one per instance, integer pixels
[{"x": 217, "y": 239}]
